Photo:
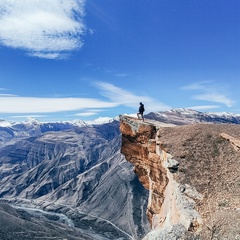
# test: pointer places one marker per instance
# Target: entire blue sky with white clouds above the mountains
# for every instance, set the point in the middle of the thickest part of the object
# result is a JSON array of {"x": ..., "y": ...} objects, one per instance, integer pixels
[{"x": 84, "y": 59}]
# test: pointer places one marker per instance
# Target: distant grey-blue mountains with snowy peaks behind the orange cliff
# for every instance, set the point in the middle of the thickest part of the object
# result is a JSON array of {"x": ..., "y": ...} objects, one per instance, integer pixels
[{"x": 75, "y": 168}]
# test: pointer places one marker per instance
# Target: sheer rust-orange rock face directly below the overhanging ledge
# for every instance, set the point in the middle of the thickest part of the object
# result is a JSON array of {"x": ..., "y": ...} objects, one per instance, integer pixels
[{"x": 139, "y": 147}]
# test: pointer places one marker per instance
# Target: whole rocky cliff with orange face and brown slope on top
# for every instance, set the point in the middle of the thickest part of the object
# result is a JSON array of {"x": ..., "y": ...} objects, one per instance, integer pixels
[{"x": 192, "y": 174}]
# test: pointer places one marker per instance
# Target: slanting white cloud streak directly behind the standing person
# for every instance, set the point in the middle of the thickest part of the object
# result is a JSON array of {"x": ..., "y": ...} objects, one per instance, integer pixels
[{"x": 126, "y": 98}]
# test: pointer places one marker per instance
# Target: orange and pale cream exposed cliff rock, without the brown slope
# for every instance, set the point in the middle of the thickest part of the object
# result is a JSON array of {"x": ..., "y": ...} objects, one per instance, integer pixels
[{"x": 170, "y": 203}]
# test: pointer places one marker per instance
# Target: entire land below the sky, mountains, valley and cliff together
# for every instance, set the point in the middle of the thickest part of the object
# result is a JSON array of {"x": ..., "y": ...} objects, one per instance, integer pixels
[{"x": 174, "y": 176}]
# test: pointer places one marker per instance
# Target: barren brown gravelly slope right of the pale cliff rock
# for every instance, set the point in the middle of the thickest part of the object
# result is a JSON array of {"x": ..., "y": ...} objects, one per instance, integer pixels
[{"x": 210, "y": 163}]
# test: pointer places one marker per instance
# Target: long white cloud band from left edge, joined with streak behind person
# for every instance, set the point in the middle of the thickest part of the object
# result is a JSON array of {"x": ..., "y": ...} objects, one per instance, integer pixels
[{"x": 113, "y": 97}]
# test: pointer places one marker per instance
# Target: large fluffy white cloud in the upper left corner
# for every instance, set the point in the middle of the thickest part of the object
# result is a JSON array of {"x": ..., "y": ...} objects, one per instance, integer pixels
[{"x": 45, "y": 28}]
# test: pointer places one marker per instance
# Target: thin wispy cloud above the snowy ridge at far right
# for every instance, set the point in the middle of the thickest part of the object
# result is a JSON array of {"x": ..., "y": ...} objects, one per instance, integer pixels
[{"x": 207, "y": 91}]
